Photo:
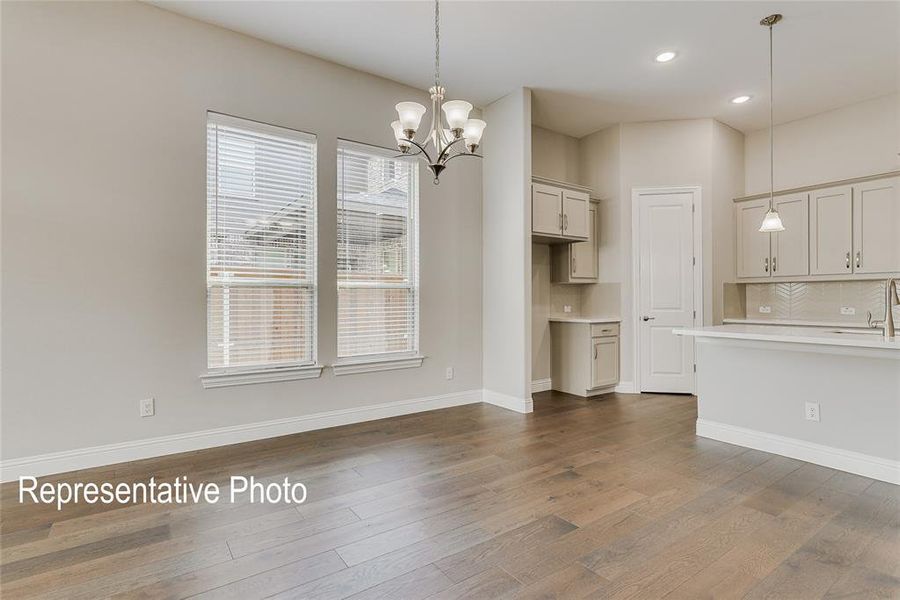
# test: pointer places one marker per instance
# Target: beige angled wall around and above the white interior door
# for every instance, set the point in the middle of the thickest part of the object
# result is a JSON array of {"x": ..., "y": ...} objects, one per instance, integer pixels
[{"x": 616, "y": 160}]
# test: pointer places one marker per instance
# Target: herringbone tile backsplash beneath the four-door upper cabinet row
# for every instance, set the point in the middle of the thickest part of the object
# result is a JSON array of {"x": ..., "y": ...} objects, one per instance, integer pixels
[{"x": 825, "y": 301}]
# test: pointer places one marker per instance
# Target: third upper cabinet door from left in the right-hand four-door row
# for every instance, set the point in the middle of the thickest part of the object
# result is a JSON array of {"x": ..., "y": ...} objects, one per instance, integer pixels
[{"x": 830, "y": 231}]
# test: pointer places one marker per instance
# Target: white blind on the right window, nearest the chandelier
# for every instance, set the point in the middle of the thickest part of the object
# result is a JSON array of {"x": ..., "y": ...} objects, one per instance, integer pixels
[{"x": 377, "y": 259}]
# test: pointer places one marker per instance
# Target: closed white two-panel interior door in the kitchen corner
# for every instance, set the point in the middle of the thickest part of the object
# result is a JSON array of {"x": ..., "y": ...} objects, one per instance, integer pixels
[{"x": 666, "y": 246}]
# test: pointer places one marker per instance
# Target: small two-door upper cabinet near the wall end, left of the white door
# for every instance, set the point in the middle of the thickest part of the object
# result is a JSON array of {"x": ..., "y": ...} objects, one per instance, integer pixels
[{"x": 560, "y": 212}]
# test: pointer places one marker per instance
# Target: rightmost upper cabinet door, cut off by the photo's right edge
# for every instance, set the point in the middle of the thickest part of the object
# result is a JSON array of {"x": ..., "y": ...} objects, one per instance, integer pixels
[{"x": 876, "y": 226}]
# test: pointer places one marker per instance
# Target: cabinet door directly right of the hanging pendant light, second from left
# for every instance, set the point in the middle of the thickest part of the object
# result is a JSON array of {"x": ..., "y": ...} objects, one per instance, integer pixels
[{"x": 790, "y": 248}]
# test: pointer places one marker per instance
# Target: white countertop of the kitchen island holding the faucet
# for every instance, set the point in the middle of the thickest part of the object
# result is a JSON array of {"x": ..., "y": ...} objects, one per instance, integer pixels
[{"x": 796, "y": 335}]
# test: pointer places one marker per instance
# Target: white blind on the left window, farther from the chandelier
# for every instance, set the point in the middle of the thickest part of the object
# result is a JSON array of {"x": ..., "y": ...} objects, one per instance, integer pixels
[{"x": 261, "y": 245}]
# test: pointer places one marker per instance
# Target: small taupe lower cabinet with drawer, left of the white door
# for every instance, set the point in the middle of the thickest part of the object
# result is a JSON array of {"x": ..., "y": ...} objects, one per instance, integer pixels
[{"x": 585, "y": 355}]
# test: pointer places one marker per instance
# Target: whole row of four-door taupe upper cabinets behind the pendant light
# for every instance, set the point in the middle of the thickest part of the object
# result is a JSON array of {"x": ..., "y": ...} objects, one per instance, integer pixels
[{"x": 840, "y": 230}]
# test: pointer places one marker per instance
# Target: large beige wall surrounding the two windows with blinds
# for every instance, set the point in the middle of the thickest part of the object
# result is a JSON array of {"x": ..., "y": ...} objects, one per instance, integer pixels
[{"x": 103, "y": 225}]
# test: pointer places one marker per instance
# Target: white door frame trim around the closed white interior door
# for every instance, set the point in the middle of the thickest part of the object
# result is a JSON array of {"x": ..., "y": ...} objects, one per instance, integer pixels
[{"x": 636, "y": 195}]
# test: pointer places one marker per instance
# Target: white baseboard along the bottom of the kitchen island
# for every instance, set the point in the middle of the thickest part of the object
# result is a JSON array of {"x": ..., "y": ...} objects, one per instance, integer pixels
[{"x": 866, "y": 465}]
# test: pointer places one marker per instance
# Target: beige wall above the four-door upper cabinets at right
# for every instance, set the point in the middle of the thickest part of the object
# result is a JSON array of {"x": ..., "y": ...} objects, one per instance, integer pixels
[{"x": 852, "y": 141}]
